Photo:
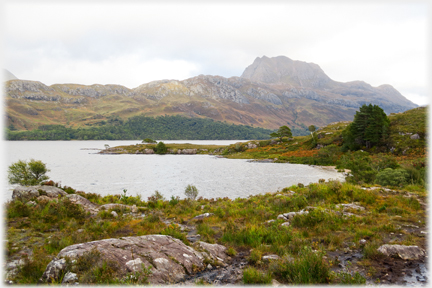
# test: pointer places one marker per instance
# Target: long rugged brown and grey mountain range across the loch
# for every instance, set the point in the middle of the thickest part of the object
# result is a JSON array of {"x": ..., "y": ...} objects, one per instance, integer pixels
[{"x": 270, "y": 93}]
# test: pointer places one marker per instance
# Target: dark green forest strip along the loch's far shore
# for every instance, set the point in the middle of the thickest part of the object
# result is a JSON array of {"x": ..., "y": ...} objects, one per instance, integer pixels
[{"x": 140, "y": 127}]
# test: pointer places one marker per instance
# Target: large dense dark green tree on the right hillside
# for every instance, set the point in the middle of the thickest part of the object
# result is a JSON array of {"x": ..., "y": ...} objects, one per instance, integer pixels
[{"x": 369, "y": 128}]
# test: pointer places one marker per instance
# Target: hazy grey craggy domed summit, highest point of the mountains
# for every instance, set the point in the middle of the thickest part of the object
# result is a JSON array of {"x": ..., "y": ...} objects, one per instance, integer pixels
[{"x": 283, "y": 70}]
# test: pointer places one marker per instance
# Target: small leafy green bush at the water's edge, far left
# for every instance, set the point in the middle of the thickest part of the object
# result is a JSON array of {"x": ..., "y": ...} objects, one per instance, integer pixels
[{"x": 27, "y": 173}]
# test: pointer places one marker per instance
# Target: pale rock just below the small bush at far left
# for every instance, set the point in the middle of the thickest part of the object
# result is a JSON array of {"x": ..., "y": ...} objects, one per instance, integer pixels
[{"x": 27, "y": 193}]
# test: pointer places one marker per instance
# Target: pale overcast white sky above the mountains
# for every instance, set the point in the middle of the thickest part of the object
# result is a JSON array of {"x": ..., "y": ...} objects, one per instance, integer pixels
[{"x": 131, "y": 43}]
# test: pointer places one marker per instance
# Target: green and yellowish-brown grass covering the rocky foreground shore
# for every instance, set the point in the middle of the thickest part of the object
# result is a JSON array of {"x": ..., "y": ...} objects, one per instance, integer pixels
[{"x": 239, "y": 224}]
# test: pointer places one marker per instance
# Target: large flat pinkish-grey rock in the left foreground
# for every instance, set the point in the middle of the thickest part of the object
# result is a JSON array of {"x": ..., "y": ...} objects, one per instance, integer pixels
[{"x": 170, "y": 259}]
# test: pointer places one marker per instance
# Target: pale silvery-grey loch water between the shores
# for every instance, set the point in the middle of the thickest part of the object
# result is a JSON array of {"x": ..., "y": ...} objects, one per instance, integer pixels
[{"x": 77, "y": 164}]
